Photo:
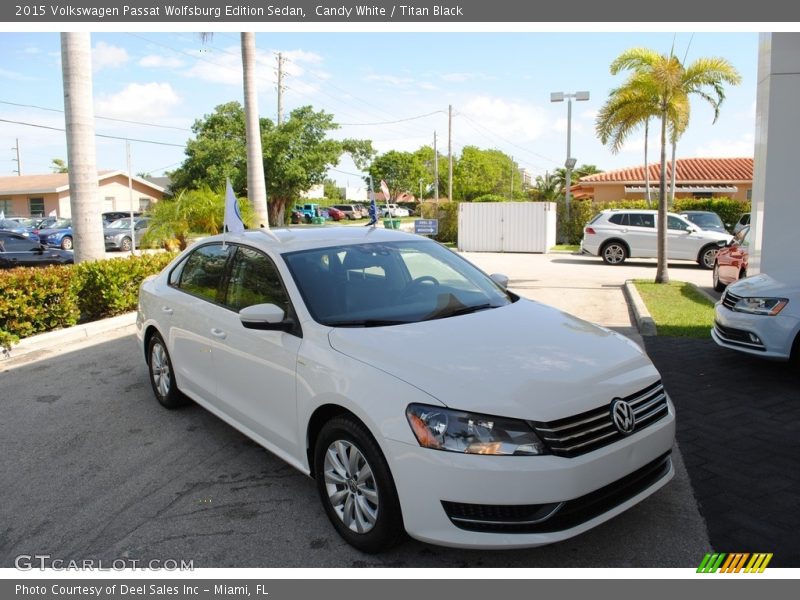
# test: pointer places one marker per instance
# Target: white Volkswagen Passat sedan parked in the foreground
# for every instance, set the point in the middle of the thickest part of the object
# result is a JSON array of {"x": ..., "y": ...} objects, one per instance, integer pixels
[{"x": 419, "y": 393}]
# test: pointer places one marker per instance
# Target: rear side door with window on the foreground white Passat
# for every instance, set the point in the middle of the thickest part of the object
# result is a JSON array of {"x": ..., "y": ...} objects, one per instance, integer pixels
[{"x": 183, "y": 311}]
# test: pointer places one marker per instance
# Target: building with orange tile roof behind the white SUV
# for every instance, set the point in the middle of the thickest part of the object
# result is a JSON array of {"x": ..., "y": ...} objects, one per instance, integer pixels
[{"x": 694, "y": 178}]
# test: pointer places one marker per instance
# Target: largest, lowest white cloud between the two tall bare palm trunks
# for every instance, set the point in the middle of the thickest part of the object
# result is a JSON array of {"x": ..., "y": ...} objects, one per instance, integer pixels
[{"x": 138, "y": 102}]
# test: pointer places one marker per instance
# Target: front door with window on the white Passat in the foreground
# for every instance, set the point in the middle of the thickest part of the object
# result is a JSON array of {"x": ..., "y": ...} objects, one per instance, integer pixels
[{"x": 256, "y": 369}]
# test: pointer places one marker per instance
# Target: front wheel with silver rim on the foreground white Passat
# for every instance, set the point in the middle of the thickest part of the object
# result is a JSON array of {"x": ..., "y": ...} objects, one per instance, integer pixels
[{"x": 369, "y": 491}]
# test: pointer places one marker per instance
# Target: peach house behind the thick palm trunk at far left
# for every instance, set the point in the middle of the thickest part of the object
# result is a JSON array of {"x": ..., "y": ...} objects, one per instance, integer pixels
[{"x": 39, "y": 195}]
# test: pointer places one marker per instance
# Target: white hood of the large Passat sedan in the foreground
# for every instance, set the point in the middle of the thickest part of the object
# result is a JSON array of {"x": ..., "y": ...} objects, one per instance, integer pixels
[{"x": 524, "y": 360}]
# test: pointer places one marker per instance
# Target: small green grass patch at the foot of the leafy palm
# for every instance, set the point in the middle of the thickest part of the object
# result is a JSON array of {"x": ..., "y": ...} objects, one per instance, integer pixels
[{"x": 678, "y": 309}]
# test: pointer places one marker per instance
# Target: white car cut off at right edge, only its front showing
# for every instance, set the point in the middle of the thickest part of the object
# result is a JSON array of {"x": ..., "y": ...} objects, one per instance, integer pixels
[{"x": 760, "y": 315}]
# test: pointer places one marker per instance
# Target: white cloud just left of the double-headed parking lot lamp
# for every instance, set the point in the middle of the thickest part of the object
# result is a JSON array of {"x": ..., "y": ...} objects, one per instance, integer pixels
[{"x": 512, "y": 120}]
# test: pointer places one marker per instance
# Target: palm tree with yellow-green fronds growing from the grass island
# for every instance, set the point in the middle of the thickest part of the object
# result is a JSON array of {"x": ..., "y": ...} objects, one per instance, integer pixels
[{"x": 665, "y": 79}]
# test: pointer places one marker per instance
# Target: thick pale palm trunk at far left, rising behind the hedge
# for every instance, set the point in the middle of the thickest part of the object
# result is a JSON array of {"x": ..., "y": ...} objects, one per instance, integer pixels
[{"x": 76, "y": 71}]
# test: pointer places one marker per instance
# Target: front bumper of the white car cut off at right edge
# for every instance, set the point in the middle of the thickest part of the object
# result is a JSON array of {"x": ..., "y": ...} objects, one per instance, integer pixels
[{"x": 773, "y": 339}]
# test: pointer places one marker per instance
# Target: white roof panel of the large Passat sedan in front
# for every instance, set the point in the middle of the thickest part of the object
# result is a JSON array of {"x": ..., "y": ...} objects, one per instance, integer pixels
[{"x": 291, "y": 239}]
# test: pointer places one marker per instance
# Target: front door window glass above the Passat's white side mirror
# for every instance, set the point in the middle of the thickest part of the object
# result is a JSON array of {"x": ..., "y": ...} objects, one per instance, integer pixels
[{"x": 254, "y": 280}]
